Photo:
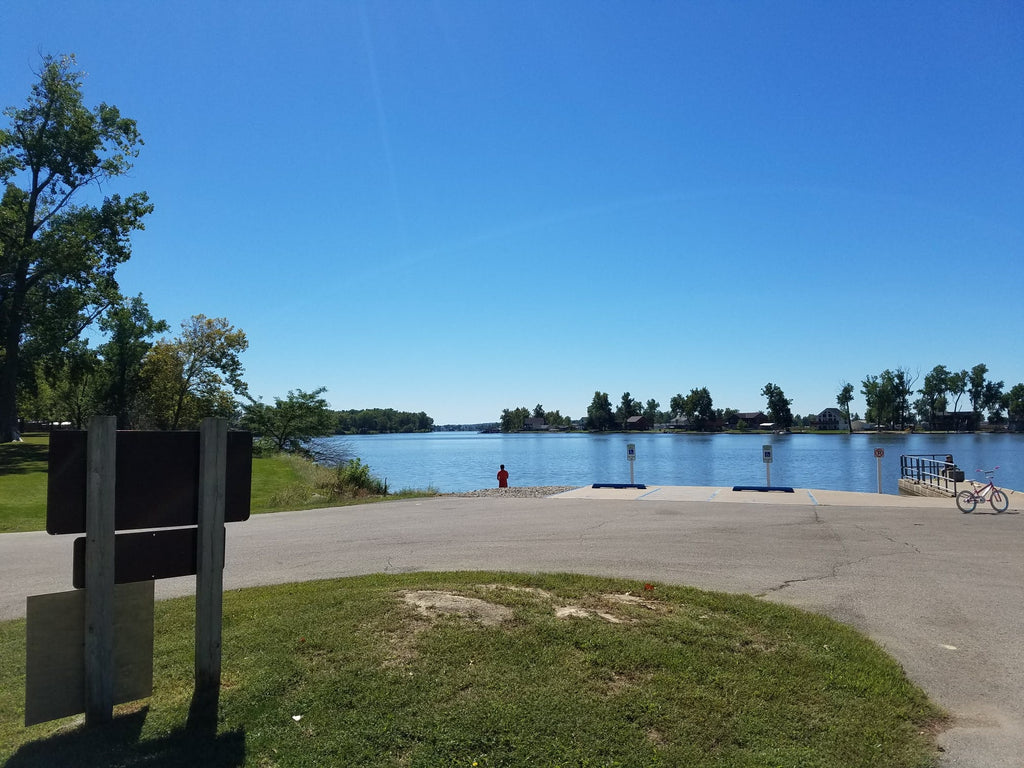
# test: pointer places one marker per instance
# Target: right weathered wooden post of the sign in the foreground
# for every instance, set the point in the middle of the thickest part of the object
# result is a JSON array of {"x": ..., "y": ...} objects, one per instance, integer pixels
[{"x": 210, "y": 559}]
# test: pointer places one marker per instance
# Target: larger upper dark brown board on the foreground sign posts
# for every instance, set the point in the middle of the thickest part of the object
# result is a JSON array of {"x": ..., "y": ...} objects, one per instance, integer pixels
[{"x": 157, "y": 481}]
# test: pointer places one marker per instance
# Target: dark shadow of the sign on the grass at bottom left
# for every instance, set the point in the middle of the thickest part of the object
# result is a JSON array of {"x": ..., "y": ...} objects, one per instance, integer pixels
[{"x": 118, "y": 745}]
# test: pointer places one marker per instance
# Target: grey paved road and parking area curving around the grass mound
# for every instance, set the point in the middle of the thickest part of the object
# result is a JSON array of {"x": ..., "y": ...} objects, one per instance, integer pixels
[{"x": 936, "y": 589}]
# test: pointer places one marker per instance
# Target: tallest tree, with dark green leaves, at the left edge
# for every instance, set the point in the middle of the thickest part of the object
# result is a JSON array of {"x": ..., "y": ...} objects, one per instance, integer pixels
[{"x": 59, "y": 257}]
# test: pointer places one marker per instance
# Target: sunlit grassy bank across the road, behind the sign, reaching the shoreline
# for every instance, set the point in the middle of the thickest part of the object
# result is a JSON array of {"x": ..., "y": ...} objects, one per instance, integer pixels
[{"x": 280, "y": 483}]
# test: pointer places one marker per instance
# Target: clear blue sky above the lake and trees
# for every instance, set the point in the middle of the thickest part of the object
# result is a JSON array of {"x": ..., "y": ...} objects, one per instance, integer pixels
[{"x": 463, "y": 206}]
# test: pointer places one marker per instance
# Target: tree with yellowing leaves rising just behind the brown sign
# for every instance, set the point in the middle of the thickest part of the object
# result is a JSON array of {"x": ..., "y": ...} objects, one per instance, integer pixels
[{"x": 196, "y": 375}]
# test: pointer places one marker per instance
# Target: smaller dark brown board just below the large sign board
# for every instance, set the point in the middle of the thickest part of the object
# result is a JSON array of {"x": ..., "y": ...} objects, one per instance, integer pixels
[{"x": 145, "y": 557}]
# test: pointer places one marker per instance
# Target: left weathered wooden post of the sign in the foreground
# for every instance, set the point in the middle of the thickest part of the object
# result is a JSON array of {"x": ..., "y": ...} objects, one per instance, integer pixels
[{"x": 100, "y": 570}]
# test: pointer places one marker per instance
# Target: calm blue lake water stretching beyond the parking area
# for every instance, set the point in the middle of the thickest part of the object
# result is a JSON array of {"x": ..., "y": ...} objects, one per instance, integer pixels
[{"x": 466, "y": 461}]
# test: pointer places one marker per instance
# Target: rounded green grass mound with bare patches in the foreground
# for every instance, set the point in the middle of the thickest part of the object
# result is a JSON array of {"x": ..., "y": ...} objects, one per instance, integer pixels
[{"x": 690, "y": 679}]
